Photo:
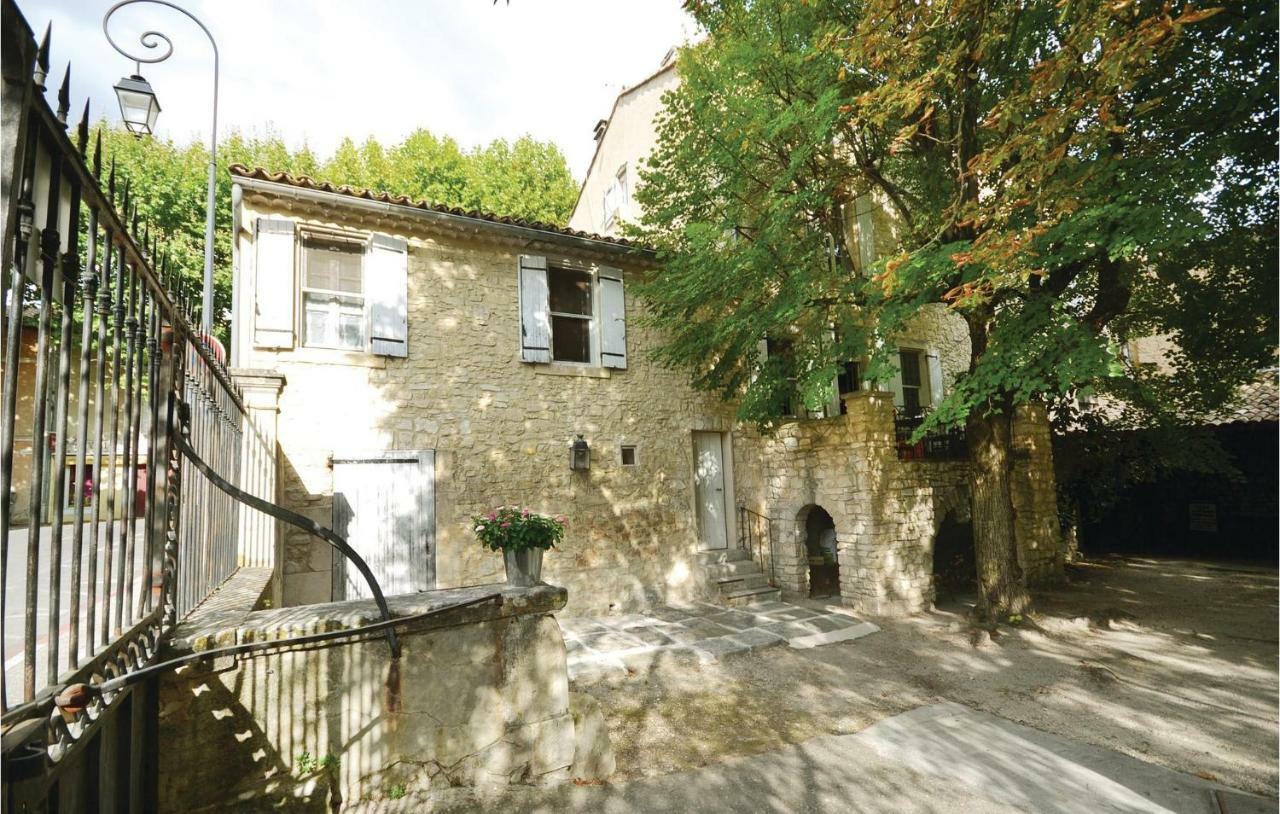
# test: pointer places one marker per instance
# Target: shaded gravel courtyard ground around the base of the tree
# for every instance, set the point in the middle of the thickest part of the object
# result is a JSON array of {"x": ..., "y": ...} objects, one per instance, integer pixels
[{"x": 1172, "y": 662}]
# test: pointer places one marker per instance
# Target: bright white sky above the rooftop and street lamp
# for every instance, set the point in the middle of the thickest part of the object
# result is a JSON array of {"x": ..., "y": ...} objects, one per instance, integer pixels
[{"x": 319, "y": 71}]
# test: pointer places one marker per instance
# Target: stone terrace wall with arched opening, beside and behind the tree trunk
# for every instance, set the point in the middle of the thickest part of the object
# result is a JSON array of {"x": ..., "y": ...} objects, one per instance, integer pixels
[{"x": 888, "y": 511}]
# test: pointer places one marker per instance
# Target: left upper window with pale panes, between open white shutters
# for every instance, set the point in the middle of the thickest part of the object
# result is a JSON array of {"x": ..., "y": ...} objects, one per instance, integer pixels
[{"x": 333, "y": 295}]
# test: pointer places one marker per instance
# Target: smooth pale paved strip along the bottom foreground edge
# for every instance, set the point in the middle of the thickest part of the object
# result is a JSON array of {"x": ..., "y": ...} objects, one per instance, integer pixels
[{"x": 940, "y": 760}]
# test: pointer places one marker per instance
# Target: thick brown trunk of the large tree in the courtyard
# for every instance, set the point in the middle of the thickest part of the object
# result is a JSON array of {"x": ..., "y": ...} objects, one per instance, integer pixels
[{"x": 1002, "y": 584}]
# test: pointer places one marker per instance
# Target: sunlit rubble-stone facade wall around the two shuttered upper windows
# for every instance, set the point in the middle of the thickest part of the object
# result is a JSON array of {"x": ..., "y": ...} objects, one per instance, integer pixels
[{"x": 500, "y": 428}]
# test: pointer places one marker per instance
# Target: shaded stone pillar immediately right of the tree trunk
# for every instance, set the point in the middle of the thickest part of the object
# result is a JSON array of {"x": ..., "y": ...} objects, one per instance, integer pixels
[{"x": 1034, "y": 488}]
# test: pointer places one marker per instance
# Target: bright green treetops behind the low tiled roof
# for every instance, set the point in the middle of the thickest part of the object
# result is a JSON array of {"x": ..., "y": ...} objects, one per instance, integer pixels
[{"x": 527, "y": 180}]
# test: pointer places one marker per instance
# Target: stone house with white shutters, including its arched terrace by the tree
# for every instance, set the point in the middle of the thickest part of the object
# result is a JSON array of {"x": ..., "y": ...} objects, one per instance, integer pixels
[{"x": 420, "y": 365}]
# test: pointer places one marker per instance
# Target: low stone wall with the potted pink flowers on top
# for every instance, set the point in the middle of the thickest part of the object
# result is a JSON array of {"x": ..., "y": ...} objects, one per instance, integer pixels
[{"x": 479, "y": 698}]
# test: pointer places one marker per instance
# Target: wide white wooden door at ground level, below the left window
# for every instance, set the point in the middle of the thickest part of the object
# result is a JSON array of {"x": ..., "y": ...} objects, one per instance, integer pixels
[{"x": 385, "y": 506}]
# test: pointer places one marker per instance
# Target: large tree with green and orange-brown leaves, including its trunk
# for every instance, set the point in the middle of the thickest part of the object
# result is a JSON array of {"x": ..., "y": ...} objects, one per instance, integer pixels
[{"x": 1060, "y": 176}]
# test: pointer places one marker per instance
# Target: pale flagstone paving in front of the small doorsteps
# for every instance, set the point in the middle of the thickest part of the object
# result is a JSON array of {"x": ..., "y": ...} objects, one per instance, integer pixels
[{"x": 612, "y": 646}]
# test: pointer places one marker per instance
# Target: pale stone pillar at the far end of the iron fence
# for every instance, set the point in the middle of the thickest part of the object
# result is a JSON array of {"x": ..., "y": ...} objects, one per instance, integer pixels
[{"x": 259, "y": 534}]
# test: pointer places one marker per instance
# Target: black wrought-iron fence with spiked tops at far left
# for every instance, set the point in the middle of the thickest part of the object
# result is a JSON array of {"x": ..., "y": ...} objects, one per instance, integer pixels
[{"x": 108, "y": 534}]
